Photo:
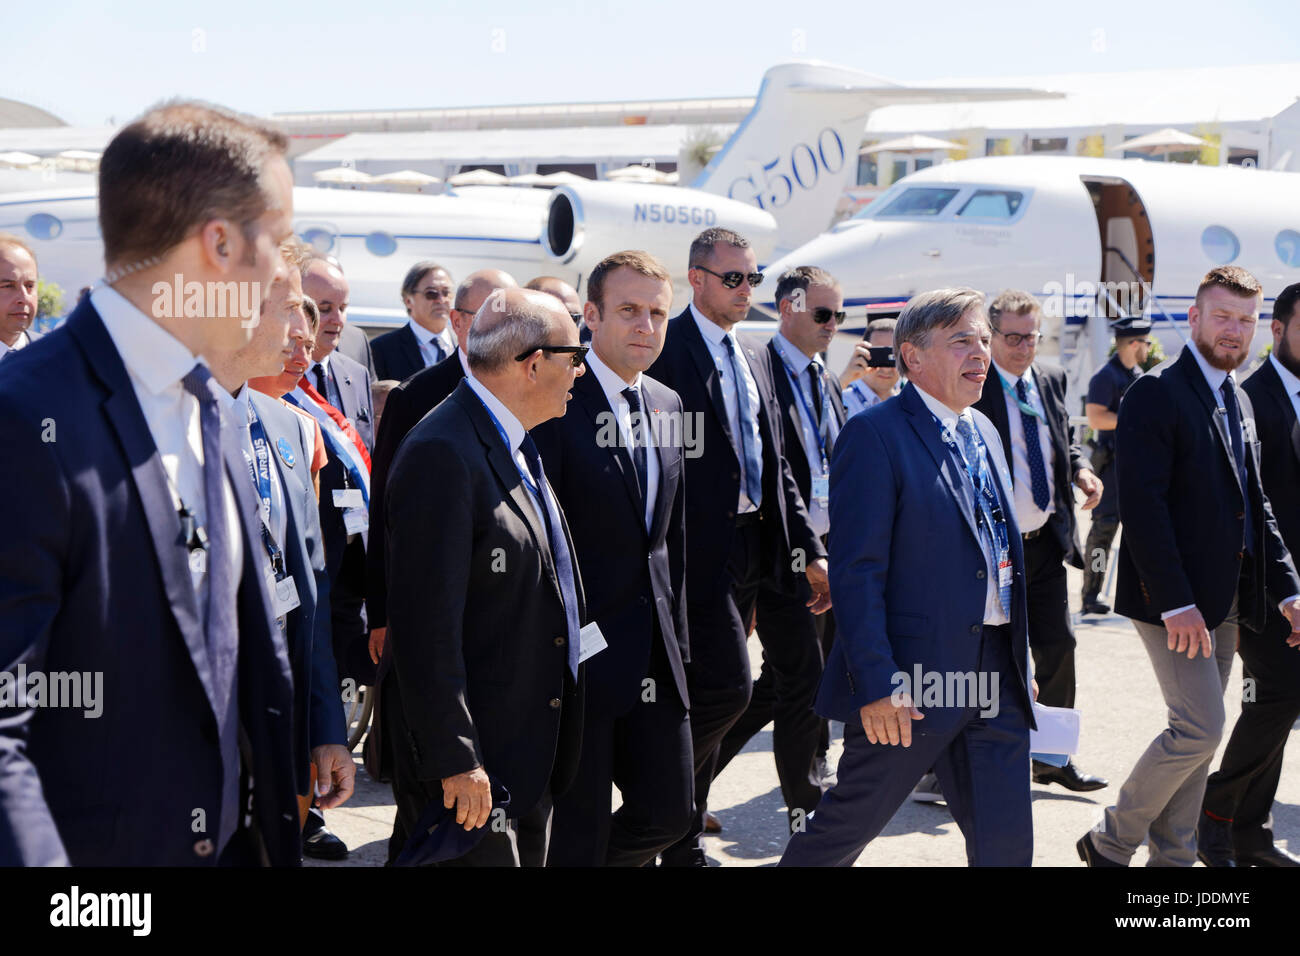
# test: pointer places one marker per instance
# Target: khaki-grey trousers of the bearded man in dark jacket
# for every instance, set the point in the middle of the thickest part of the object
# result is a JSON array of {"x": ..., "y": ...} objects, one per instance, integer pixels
[{"x": 1162, "y": 799}]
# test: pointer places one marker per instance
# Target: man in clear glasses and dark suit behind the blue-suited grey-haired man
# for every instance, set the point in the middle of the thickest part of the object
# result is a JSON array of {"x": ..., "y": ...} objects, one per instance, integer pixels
[{"x": 1026, "y": 404}]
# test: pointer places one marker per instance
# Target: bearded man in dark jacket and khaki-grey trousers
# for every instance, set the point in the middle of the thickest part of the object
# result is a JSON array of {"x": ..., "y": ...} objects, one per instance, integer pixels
[{"x": 1201, "y": 556}]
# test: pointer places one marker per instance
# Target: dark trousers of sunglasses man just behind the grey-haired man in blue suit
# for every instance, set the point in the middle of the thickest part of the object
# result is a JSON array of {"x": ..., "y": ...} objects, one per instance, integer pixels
[{"x": 783, "y": 695}]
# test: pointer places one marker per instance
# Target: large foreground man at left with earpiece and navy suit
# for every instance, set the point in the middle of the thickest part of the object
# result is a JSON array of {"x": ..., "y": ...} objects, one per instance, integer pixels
[{"x": 135, "y": 557}]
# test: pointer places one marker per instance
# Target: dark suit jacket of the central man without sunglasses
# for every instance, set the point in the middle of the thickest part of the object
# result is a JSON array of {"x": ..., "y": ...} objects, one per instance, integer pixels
[{"x": 635, "y": 578}]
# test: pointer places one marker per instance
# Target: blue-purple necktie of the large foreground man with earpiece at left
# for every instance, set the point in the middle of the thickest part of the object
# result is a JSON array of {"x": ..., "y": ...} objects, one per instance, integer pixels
[{"x": 223, "y": 630}]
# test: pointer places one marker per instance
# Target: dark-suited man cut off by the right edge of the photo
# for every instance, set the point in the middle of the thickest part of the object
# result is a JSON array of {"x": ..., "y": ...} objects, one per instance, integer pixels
[{"x": 1236, "y": 823}]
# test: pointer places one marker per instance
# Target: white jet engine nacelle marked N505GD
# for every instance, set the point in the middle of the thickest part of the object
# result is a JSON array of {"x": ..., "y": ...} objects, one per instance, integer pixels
[{"x": 588, "y": 222}]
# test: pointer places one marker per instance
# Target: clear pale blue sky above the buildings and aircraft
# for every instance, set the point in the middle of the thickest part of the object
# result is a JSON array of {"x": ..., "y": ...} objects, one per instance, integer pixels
[{"x": 89, "y": 63}]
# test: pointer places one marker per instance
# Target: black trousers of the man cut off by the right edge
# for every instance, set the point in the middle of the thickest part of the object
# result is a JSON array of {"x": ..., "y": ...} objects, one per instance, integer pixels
[{"x": 1243, "y": 789}]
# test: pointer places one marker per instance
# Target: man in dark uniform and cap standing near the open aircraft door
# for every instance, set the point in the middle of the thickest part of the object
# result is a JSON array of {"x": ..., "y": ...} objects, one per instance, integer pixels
[{"x": 1106, "y": 391}]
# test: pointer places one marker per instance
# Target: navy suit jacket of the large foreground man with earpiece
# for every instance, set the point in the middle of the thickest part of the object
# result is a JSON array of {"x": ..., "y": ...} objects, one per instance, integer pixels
[{"x": 96, "y": 578}]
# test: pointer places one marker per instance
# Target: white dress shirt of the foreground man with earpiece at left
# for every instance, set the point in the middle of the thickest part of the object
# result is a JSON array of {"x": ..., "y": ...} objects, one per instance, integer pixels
[{"x": 157, "y": 362}]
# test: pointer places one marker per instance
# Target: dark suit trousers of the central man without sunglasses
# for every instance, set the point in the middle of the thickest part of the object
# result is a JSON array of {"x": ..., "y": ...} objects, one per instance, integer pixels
[{"x": 647, "y": 755}]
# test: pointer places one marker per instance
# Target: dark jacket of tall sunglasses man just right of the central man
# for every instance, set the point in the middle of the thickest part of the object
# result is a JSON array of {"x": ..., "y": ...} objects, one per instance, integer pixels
[{"x": 713, "y": 468}]
